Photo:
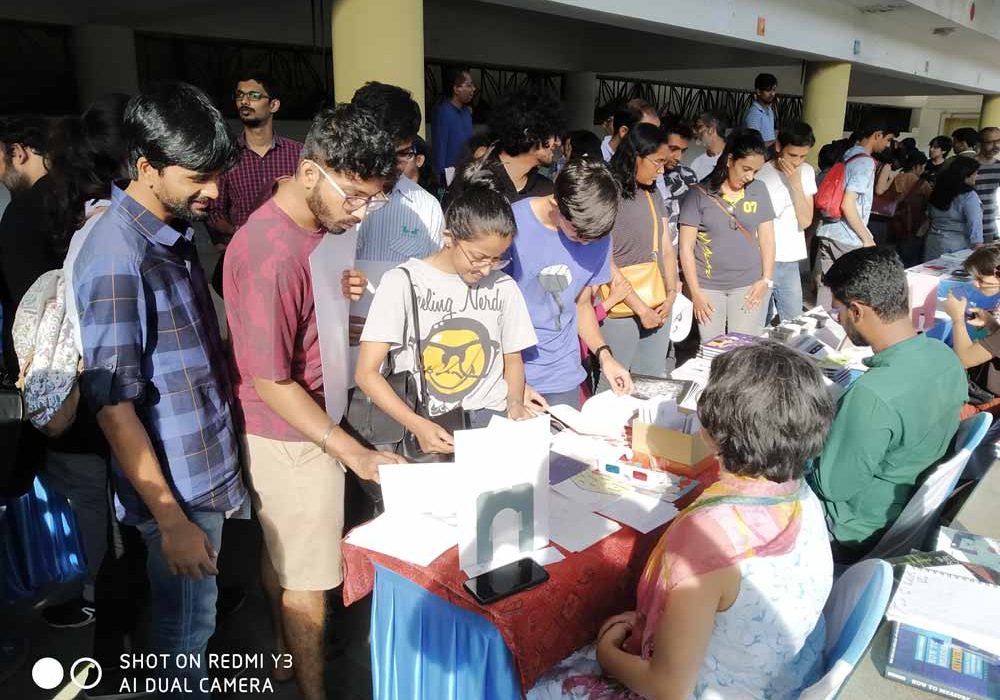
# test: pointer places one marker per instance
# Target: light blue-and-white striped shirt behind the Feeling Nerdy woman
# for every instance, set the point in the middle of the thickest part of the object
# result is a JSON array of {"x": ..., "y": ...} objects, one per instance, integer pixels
[{"x": 409, "y": 226}]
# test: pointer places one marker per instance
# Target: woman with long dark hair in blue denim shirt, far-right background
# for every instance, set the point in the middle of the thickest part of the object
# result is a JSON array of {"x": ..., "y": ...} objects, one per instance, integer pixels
[{"x": 954, "y": 212}]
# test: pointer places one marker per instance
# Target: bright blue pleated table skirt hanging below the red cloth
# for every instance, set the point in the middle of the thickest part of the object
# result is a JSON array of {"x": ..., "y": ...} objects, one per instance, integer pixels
[{"x": 424, "y": 647}]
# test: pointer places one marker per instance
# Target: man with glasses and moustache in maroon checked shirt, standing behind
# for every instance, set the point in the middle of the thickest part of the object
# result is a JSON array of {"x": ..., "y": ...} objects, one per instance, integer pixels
[{"x": 264, "y": 157}]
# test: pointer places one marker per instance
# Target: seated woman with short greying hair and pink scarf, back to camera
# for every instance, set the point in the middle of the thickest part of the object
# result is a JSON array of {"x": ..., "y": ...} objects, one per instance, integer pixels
[{"x": 730, "y": 602}]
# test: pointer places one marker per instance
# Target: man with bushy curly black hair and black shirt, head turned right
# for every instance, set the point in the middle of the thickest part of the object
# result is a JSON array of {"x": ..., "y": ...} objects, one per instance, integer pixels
[{"x": 528, "y": 127}]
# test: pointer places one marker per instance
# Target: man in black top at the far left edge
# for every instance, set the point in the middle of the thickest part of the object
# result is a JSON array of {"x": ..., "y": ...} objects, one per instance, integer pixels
[{"x": 26, "y": 249}]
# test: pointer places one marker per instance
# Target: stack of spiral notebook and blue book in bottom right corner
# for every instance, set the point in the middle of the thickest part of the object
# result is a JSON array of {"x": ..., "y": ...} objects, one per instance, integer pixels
[{"x": 945, "y": 618}]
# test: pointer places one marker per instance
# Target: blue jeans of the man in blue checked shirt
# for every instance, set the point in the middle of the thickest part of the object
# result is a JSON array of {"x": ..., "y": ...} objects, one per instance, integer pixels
[{"x": 183, "y": 608}]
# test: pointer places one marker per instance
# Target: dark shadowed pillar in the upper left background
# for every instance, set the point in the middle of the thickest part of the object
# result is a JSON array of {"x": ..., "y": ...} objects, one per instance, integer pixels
[{"x": 104, "y": 61}]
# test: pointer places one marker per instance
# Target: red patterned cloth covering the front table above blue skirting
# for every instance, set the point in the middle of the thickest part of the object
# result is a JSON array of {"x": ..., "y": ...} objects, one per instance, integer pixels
[{"x": 543, "y": 625}]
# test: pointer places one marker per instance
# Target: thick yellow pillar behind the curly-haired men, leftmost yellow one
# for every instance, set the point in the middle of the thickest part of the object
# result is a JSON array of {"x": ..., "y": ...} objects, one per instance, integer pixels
[{"x": 381, "y": 41}]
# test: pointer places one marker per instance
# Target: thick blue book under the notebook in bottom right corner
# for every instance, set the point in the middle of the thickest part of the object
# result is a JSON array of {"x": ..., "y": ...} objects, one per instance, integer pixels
[{"x": 942, "y": 664}]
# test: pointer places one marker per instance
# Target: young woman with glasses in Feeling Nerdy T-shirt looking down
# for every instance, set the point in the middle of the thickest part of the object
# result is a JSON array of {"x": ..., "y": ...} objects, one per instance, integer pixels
[{"x": 472, "y": 319}]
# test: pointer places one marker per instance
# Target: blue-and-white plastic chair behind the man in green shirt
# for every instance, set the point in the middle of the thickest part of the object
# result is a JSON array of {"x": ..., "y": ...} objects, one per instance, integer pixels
[{"x": 920, "y": 515}]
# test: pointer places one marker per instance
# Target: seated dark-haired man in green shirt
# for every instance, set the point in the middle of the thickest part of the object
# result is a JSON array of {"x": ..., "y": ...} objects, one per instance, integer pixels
[{"x": 897, "y": 419}]
